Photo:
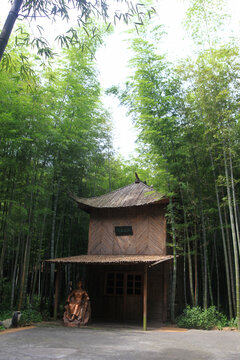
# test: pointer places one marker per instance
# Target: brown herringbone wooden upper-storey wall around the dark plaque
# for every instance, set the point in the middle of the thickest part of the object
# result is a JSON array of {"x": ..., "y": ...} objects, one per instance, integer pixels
[{"x": 149, "y": 231}]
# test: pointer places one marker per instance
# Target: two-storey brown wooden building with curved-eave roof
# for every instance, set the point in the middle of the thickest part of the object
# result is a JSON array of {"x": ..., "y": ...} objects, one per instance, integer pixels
[{"x": 127, "y": 265}]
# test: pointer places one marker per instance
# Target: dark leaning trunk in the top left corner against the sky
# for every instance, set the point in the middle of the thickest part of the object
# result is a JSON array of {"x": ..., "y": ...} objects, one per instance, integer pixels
[{"x": 8, "y": 26}]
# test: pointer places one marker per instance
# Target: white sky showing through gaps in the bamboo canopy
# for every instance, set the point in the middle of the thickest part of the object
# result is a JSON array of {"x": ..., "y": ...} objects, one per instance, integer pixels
[{"x": 112, "y": 60}]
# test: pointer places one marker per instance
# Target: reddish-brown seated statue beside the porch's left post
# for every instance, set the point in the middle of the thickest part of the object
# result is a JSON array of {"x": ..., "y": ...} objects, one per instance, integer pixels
[{"x": 77, "y": 308}]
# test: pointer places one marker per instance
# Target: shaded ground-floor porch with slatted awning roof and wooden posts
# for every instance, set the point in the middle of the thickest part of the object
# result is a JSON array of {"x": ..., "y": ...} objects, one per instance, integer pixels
[{"x": 123, "y": 289}]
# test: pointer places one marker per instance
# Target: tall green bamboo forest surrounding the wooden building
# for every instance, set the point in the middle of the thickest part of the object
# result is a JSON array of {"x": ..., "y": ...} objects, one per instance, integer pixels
[{"x": 57, "y": 140}]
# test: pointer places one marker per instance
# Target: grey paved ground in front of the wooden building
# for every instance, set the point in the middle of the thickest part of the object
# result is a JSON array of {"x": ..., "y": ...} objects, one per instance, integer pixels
[{"x": 118, "y": 343}]
